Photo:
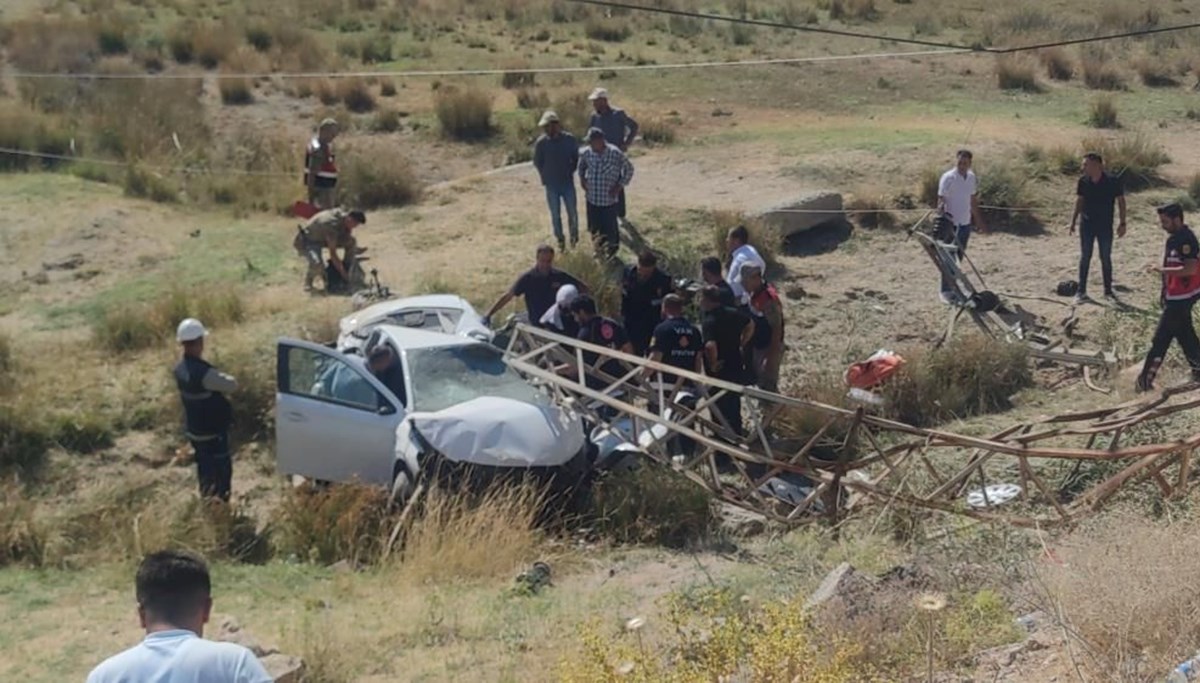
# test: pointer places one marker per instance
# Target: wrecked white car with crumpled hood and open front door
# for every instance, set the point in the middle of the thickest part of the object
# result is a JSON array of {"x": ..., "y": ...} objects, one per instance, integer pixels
[{"x": 452, "y": 405}]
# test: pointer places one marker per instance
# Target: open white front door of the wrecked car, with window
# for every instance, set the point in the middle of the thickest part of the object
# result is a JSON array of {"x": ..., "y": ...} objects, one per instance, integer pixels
[{"x": 334, "y": 421}]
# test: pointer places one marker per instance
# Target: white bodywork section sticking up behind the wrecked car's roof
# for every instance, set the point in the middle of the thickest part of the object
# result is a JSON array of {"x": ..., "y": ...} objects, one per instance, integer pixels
[{"x": 436, "y": 313}]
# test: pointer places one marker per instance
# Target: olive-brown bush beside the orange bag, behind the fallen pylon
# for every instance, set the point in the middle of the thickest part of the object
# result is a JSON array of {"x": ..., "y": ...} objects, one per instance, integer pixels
[{"x": 973, "y": 375}]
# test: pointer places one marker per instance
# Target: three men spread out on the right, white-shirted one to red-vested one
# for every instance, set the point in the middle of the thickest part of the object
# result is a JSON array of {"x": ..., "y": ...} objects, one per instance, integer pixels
[{"x": 1100, "y": 203}]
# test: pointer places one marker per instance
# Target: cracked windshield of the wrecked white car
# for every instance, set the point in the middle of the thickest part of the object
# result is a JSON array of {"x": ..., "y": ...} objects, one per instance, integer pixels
[{"x": 448, "y": 376}]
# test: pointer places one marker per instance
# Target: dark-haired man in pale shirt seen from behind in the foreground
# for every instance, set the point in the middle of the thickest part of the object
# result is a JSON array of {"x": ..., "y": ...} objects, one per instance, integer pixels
[{"x": 175, "y": 603}]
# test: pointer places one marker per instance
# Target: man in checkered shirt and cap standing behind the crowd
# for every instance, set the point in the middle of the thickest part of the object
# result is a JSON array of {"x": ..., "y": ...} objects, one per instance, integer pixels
[{"x": 604, "y": 173}]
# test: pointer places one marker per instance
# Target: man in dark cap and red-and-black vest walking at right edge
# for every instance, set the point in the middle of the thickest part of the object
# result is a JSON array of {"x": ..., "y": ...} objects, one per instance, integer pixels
[{"x": 1181, "y": 289}]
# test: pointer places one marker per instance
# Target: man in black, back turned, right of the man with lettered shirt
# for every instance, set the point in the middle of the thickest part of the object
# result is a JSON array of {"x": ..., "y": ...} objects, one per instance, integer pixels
[{"x": 727, "y": 333}]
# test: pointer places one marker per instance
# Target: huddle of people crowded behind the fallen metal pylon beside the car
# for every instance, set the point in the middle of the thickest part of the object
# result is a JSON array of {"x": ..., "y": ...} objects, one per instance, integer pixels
[{"x": 740, "y": 338}]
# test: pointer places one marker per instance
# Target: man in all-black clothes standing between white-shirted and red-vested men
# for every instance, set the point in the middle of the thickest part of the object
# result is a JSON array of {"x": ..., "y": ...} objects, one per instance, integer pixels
[{"x": 1095, "y": 196}]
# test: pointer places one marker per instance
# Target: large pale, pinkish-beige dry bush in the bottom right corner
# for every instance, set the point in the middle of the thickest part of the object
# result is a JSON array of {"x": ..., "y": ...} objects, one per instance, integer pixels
[{"x": 1126, "y": 589}]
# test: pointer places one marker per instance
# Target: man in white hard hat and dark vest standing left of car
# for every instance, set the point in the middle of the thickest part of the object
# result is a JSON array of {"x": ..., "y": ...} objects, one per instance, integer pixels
[{"x": 207, "y": 412}]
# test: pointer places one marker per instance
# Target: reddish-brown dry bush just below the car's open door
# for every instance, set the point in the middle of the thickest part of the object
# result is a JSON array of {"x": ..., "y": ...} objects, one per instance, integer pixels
[{"x": 341, "y": 523}]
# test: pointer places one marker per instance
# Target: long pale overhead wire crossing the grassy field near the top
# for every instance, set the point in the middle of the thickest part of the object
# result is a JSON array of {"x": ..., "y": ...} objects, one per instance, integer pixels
[{"x": 429, "y": 74}]
